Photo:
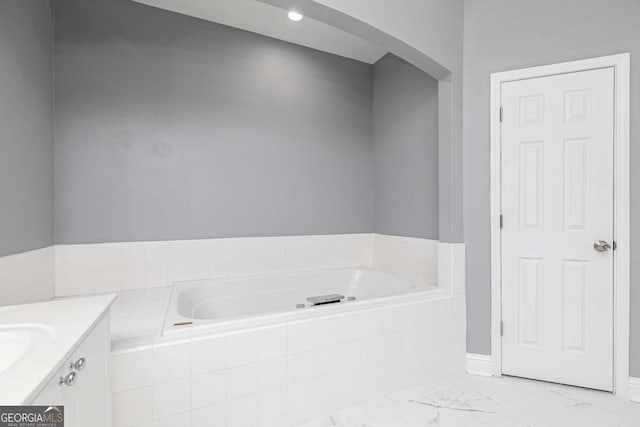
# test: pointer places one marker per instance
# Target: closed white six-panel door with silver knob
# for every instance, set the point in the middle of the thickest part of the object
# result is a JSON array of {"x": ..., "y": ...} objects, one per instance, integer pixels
[{"x": 557, "y": 148}]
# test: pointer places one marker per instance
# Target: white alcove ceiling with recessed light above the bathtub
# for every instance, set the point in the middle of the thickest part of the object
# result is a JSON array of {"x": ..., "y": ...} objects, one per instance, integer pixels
[{"x": 271, "y": 21}]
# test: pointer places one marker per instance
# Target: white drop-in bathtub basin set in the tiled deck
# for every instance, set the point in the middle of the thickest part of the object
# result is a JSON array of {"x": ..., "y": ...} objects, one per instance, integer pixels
[{"x": 228, "y": 303}]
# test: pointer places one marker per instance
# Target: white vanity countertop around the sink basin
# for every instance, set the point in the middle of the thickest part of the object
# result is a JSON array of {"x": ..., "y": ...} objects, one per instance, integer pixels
[{"x": 66, "y": 323}]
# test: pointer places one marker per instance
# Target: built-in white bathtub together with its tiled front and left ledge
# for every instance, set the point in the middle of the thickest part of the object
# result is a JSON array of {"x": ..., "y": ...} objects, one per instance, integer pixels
[{"x": 238, "y": 352}]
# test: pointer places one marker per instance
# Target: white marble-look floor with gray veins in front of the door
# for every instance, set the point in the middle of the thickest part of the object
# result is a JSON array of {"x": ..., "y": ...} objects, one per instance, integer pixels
[{"x": 472, "y": 401}]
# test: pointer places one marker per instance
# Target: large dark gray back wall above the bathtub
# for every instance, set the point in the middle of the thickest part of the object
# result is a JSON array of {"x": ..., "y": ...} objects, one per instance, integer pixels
[{"x": 168, "y": 127}]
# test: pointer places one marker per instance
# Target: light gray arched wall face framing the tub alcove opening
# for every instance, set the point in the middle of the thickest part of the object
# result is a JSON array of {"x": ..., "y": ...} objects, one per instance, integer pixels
[{"x": 429, "y": 35}]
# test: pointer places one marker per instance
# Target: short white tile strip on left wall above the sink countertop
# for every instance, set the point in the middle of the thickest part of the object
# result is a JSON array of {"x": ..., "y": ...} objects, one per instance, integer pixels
[{"x": 27, "y": 277}]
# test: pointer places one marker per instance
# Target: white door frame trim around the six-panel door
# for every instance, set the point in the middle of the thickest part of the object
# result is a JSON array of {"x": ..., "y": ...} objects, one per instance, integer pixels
[{"x": 621, "y": 230}]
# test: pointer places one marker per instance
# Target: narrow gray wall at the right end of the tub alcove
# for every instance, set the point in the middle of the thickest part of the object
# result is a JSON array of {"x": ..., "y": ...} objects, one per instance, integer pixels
[{"x": 405, "y": 142}]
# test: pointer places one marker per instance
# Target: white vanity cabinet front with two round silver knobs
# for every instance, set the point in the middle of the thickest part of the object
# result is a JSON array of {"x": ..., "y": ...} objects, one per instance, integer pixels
[{"x": 86, "y": 395}]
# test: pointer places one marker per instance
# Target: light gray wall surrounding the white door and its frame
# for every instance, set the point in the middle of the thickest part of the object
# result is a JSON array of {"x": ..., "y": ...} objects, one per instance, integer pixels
[{"x": 509, "y": 34}]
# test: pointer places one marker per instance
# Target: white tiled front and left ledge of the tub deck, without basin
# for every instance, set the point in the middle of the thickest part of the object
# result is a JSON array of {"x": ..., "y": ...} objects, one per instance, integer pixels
[{"x": 278, "y": 373}]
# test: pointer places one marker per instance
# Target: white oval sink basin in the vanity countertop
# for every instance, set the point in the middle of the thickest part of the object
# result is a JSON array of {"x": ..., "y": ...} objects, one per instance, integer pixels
[{"x": 18, "y": 342}]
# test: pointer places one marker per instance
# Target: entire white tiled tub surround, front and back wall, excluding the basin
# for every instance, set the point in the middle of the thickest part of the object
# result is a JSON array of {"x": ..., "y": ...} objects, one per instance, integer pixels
[{"x": 276, "y": 372}]
